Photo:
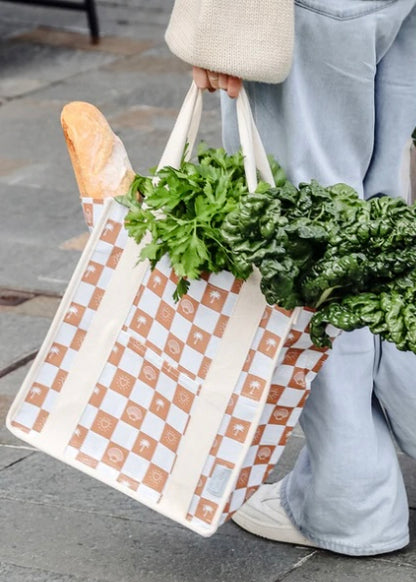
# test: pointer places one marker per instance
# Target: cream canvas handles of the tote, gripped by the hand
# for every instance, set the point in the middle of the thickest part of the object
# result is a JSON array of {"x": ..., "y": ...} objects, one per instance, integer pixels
[{"x": 186, "y": 130}]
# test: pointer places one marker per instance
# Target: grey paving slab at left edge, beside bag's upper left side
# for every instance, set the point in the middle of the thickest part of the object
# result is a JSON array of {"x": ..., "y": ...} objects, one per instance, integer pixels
[{"x": 33, "y": 233}]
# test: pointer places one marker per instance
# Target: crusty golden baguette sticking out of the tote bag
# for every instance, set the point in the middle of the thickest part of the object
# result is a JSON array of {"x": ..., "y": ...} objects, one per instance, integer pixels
[{"x": 99, "y": 160}]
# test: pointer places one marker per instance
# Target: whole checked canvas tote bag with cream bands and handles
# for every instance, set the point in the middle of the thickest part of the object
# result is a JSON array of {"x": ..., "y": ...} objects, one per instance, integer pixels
[{"x": 185, "y": 407}]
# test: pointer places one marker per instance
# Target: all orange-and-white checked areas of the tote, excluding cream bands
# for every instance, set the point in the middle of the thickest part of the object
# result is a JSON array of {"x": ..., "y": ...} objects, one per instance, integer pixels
[{"x": 139, "y": 410}]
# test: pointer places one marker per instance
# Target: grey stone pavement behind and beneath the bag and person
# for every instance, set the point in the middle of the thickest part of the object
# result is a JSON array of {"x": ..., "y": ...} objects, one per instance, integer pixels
[{"x": 57, "y": 525}]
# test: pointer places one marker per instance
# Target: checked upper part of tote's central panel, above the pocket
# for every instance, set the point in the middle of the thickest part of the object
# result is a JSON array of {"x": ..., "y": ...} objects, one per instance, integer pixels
[{"x": 188, "y": 333}]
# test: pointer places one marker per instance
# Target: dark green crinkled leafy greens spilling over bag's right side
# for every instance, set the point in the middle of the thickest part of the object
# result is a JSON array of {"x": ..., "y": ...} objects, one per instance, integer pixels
[{"x": 353, "y": 261}]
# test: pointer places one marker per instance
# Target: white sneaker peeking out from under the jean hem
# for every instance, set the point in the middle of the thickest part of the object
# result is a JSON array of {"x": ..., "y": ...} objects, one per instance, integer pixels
[{"x": 264, "y": 516}]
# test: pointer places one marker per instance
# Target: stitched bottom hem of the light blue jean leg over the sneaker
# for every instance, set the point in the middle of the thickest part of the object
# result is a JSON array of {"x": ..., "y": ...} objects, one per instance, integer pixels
[{"x": 336, "y": 547}]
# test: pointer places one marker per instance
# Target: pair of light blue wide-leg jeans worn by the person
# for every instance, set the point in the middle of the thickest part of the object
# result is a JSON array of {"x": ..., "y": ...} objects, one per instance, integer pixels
[{"x": 345, "y": 114}]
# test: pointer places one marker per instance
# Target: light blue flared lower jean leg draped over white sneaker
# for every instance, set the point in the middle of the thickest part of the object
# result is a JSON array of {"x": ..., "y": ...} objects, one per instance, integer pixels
[{"x": 346, "y": 490}]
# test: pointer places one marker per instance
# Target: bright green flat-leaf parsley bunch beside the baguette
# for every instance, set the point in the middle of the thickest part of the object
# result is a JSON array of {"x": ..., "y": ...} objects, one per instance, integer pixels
[{"x": 184, "y": 210}]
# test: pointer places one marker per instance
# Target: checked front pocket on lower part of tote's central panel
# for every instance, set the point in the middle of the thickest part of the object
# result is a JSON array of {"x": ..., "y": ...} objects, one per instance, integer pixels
[{"x": 134, "y": 421}]
